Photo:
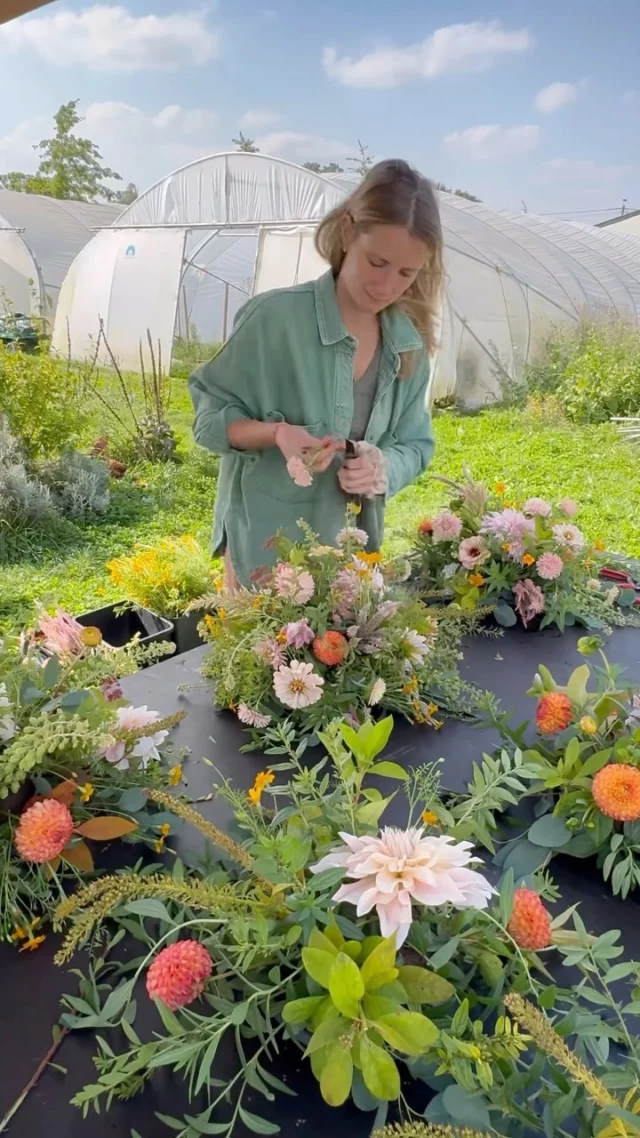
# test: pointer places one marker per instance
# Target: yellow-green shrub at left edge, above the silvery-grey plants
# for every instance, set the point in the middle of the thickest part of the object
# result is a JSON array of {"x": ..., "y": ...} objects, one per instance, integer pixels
[{"x": 43, "y": 400}]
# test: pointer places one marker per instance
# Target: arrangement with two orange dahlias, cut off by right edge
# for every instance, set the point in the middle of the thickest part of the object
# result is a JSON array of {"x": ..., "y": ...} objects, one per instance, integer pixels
[{"x": 588, "y": 758}]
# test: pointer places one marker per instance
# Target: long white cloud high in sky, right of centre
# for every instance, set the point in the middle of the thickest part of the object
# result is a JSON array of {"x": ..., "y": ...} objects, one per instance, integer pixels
[{"x": 456, "y": 48}]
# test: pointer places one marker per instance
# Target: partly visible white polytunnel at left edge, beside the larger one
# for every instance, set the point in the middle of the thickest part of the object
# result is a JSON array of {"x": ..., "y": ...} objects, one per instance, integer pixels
[{"x": 40, "y": 237}]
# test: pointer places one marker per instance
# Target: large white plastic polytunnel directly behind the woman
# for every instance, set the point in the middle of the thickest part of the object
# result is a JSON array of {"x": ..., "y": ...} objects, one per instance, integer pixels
[{"x": 191, "y": 251}]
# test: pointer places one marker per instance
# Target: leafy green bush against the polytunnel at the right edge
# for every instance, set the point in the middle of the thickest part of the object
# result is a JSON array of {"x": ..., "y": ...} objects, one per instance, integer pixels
[{"x": 594, "y": 368}]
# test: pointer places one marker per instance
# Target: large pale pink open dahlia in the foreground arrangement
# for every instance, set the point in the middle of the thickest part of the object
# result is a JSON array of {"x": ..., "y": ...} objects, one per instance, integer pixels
[{"x": 403, "y": 867}]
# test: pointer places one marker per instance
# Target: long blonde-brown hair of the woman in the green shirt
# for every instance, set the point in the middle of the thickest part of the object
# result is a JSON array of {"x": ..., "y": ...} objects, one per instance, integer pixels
[{"x": 395, "y": 194}]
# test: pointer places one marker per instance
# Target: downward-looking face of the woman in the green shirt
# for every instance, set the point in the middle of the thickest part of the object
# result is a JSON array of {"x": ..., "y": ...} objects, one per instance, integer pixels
[{"x": 381, "y": 265}]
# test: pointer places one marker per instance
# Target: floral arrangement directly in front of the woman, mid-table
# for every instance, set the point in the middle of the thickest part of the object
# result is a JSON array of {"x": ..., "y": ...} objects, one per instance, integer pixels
[{"x": 330, "y": 633}]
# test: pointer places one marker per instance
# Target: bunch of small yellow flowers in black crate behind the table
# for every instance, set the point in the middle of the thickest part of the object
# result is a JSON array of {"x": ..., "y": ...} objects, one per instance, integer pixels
[{"x": 167, "y": 578}]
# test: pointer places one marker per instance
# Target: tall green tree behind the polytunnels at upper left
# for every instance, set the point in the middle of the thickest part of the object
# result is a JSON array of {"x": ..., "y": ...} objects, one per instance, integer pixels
[{"x": 70, "y": 167}]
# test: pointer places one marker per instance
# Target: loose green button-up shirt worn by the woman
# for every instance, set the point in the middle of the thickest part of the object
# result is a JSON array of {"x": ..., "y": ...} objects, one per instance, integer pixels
[{"x": 291, "y": 359}]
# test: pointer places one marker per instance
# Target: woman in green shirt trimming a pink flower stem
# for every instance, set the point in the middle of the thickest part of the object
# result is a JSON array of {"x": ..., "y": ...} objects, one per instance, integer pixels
[{"x": 308, "y": 368}]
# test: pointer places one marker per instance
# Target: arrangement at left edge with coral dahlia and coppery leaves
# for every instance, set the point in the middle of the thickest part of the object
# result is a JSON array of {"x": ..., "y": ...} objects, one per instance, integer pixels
[{"x": 75, "y": 763}]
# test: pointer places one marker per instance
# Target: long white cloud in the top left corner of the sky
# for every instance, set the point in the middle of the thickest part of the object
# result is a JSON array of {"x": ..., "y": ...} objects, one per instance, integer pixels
[{"x": 111, "y": 39}]
